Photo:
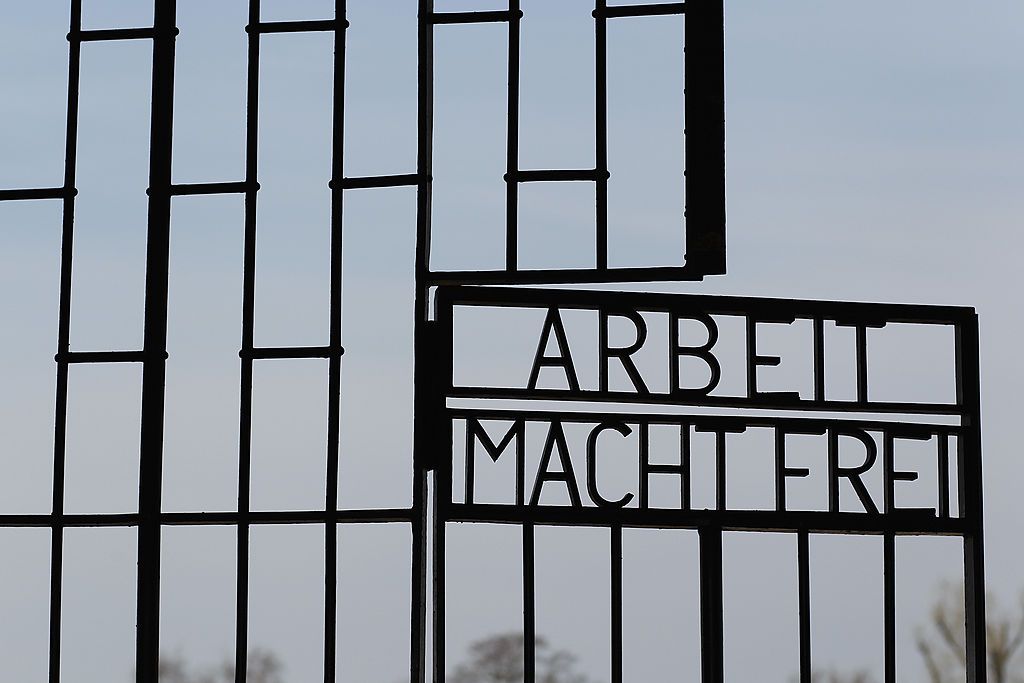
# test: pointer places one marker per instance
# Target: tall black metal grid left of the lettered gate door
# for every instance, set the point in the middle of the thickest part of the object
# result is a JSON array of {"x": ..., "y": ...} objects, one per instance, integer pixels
[{"x": 151, "y": 518}]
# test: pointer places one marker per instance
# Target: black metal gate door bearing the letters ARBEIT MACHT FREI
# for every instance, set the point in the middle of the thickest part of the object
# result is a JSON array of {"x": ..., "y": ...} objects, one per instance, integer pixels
[{"x": 886, "y": 521}]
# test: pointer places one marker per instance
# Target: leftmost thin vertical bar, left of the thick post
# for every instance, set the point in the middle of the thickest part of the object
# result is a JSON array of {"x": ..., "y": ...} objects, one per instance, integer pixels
[{"x": 64, "y": 340}]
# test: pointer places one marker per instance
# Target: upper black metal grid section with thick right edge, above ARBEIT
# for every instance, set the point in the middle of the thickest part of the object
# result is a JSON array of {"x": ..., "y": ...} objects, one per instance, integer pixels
[{"x": 705, "y": 150}]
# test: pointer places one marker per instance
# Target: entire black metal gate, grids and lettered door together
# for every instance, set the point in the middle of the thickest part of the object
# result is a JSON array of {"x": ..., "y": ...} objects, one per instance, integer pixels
[{"x": 705, "y": 254}]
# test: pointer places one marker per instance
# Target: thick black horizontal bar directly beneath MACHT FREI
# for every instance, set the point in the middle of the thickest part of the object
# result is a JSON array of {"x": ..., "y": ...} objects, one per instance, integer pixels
[{"x": 909, "y": 523}]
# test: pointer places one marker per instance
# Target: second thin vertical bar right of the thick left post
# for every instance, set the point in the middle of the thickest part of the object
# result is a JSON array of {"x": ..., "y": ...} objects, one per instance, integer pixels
[{"x": 334, "y": 364}]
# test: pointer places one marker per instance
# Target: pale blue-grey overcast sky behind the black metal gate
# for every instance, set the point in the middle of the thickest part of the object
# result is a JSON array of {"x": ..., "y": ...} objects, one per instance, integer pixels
[{"x": 874, "y": 154}]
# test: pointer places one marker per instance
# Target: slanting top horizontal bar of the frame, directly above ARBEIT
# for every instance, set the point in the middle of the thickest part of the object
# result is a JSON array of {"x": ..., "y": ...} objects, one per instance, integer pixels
[{"x": 849, "y": 312}]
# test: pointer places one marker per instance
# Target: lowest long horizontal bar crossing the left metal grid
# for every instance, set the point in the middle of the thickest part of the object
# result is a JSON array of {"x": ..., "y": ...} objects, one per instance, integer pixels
[{"x": 362, "y": 517}]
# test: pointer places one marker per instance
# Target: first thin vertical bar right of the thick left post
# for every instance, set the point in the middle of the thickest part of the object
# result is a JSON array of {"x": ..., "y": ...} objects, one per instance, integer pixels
[{"x": 246, "y": 381}]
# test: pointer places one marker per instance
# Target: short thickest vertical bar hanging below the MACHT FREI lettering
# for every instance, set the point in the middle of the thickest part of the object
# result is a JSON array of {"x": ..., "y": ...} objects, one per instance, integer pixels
[{"x": 712, "y": 636}]
